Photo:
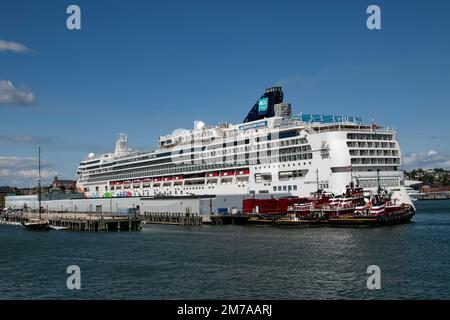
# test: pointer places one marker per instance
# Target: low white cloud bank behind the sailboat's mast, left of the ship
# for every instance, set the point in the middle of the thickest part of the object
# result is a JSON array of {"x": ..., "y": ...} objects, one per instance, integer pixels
[{"x": 16, "y": 171}]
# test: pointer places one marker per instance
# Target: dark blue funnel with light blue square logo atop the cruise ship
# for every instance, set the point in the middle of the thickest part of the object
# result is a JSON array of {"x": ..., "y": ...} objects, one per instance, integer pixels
[{"x": 263, "y": 108}]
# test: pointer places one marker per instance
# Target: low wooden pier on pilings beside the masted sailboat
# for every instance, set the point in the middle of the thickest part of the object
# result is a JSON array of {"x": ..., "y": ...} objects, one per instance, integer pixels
[{"x": 82, "y": 221}]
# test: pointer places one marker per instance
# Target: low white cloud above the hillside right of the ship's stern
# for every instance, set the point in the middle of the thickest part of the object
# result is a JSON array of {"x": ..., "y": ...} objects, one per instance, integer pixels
[{"x": 427, "y": 160}]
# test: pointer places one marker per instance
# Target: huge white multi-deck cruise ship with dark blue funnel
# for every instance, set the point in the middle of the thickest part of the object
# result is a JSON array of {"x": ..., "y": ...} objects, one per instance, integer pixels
[{"x": 271, "y": 152}]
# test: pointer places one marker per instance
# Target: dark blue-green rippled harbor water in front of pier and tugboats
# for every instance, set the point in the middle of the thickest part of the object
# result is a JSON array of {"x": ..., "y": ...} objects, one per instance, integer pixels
[{"x": 232, "y": 262}]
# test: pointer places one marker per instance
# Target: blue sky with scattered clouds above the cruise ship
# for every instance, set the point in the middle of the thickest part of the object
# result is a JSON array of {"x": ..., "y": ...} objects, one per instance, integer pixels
[{"x": 148, "y": 67}]
